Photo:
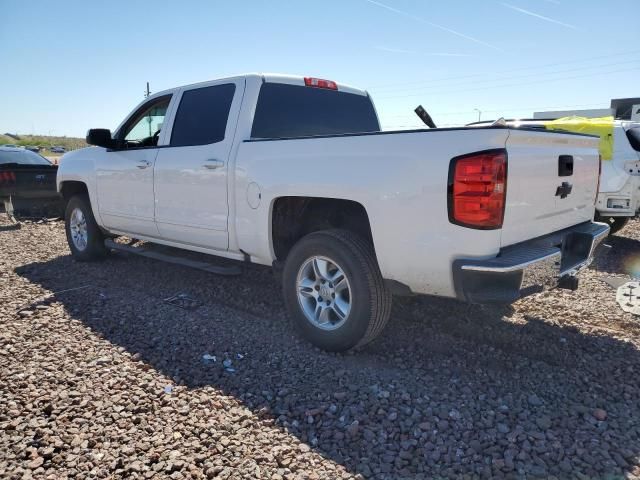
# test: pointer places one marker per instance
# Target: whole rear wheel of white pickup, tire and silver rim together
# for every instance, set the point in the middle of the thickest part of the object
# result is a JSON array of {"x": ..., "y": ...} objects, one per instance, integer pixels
[{"x": 334, "y": 291}]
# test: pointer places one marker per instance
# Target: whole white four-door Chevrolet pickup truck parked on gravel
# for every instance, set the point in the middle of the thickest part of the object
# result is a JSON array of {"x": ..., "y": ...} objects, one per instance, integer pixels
[{"x": 295, "y": 173}]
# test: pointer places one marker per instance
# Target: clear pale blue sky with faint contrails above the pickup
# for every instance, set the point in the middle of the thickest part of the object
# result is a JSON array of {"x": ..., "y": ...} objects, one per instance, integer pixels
[{"x": 71, "y": 65}]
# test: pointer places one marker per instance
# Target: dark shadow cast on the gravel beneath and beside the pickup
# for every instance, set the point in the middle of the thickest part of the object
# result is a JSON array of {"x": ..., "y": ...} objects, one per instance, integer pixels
[{"x": 448, "y": 389}]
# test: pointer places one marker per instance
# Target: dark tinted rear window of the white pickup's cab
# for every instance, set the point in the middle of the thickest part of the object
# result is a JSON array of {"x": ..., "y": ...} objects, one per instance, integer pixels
[{"x": 285, "y": 111}]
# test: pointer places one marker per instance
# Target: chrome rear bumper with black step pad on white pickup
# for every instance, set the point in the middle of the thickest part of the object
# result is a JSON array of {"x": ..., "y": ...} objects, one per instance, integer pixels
[{"x": 530, "y": 267}]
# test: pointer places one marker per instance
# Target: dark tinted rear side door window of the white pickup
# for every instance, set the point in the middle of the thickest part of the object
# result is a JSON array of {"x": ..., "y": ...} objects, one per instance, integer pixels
[{"x": 202, "y": 115}]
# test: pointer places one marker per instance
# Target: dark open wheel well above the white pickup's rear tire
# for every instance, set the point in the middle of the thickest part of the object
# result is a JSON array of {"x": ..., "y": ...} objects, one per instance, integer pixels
[{"x": 294, "y": 217}]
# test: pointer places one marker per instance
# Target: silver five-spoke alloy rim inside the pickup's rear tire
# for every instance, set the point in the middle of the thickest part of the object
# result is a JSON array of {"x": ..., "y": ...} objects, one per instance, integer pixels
[{"x": 324, "y": 293}]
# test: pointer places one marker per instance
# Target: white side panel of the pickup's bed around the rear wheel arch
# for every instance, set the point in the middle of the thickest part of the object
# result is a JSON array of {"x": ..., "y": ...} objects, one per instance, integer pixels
[{"x": 401, "y": 180}]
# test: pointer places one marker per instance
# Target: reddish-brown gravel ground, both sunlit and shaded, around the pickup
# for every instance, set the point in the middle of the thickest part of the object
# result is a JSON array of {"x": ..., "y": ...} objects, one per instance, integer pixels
[{"x": 105, "y": 380}]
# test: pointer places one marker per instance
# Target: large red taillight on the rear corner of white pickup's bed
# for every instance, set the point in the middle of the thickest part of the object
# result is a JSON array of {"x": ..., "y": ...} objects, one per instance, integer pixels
[{"x": 478, "y": 189}]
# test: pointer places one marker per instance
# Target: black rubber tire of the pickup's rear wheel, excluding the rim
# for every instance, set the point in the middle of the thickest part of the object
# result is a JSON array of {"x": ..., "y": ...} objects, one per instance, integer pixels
[{"x": 369, "y": 298}]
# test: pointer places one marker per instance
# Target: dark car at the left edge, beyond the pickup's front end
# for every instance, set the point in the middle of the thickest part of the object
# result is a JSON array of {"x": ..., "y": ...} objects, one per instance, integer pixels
[{"x": 28, "y": 184}]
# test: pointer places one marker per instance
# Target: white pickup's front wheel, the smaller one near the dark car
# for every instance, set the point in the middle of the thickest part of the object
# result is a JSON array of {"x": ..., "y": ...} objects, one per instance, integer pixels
[{"x": 85, "y": 239}]
